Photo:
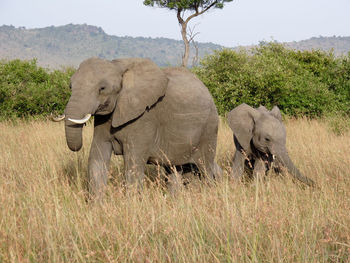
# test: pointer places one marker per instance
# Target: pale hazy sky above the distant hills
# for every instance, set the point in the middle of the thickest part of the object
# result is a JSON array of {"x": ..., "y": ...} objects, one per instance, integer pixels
[{"x": 241, "y": 22}]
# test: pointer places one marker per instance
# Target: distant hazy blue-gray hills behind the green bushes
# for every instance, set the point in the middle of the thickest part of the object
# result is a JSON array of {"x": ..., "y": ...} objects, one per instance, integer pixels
[{"x": 70, "y": 44}]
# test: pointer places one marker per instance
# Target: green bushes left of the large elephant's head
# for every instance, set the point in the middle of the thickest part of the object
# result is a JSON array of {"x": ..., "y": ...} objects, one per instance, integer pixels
[{"x": 29, "y": 90}]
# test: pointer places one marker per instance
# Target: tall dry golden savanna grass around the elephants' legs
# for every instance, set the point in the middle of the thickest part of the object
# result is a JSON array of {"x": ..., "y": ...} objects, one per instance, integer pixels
[{"x": 44, "y": 216}]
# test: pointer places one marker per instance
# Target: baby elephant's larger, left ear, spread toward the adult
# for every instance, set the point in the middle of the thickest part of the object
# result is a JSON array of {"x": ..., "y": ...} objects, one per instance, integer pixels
[{"x": 242, "y": 120}]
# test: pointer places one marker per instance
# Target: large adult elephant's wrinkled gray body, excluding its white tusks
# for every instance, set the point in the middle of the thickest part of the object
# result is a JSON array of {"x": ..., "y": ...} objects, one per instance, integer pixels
[{"x": 144, "y": 113}]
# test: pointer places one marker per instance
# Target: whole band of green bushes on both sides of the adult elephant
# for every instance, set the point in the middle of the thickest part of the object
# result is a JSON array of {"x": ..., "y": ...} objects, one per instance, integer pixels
[{"x": 301, "y": 83}]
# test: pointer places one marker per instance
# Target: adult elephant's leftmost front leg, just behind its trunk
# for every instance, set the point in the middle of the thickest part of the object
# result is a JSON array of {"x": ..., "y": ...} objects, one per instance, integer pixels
[{"x": 99, "y": 159}]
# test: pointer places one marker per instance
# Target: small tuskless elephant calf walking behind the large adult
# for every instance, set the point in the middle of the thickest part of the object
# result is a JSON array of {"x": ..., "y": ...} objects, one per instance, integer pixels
[{"x": 260, "y": 140}]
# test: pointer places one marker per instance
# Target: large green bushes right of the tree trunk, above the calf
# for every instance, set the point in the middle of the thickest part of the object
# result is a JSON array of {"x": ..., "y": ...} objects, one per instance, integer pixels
[{"x": 311, "y": 83}]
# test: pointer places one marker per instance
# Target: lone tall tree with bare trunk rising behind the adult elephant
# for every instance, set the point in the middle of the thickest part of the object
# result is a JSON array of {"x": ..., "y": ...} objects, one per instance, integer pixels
[{"x": 195, "y": 7}]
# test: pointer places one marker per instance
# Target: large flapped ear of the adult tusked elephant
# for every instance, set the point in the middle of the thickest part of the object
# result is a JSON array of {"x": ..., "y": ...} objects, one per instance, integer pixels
[{"x": 142, "y": 85}]
